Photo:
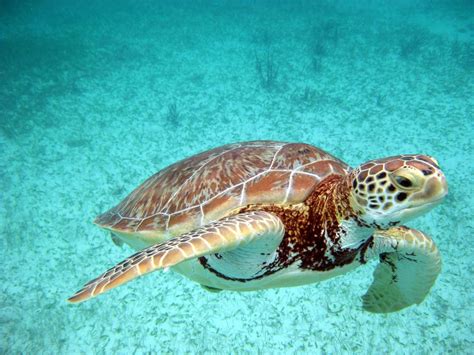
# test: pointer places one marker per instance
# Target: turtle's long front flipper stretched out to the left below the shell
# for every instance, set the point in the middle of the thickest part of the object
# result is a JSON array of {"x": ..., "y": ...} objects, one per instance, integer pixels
[{"x": 217, "y": 237}]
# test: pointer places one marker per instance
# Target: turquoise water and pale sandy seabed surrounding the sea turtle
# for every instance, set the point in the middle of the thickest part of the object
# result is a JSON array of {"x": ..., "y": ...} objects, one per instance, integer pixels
[{"x": 96, "y": 98}]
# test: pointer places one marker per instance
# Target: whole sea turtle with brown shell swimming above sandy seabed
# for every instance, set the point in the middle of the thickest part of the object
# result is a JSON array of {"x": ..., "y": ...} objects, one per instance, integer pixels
[{"x": 264, "y": 214}]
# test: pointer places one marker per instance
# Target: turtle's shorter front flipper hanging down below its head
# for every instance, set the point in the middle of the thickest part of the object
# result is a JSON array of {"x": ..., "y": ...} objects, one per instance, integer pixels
[{"x": 409, "y": 265}]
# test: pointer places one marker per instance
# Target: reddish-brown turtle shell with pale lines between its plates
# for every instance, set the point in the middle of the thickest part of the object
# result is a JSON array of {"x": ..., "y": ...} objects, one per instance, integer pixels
[{"x": 210, "y": 185}]
